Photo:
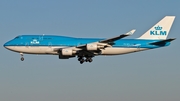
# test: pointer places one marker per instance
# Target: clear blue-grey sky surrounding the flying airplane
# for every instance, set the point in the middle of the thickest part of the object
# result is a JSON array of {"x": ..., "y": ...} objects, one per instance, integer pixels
[{"x": 145, "y": 76}]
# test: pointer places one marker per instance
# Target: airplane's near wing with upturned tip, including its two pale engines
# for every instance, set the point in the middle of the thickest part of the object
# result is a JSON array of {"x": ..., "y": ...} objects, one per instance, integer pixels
[{"x": 91, "y": 49}]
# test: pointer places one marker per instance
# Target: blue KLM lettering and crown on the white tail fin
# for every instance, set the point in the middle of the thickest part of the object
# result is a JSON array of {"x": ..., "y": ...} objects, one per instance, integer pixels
[{"x": 158, "y": 31}]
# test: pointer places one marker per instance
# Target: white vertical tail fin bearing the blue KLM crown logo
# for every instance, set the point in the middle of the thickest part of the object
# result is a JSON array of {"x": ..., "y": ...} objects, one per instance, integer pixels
[{"x": 159, "y": 30}]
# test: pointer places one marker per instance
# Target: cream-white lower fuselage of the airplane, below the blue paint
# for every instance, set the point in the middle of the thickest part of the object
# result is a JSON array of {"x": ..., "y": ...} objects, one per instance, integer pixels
[{"x": 50, "y": 50}]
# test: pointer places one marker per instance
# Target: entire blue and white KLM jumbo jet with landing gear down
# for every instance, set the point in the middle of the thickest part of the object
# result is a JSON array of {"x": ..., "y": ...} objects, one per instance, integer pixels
[{"x": 87, "y": 48}]
